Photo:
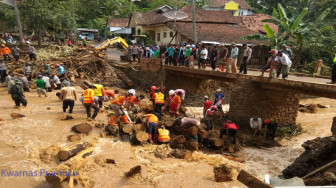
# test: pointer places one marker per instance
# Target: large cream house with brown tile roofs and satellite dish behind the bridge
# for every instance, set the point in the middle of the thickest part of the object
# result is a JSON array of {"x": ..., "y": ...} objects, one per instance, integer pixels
[{"x": 217, "y": 26}]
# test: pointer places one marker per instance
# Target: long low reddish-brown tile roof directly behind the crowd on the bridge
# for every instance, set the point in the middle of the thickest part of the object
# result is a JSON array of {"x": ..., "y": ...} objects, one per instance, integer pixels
[{"x": 223, "y": 33}]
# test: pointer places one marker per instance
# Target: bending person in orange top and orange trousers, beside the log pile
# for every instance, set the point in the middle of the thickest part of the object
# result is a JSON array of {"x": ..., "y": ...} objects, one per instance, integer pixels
[{"x": 116, "y": 105}]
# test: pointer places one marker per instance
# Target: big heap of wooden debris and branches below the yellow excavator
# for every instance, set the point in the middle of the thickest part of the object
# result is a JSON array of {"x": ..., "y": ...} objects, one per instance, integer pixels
[{"x": 80, "y": 63}]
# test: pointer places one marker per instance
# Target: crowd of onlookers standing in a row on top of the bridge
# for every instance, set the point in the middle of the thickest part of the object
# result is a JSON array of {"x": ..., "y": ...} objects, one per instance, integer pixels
[{"x": 219, "y": 57}]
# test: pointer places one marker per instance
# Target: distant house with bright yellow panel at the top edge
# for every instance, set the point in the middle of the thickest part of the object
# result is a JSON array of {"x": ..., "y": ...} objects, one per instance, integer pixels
[{"x": 236, "y": 7}]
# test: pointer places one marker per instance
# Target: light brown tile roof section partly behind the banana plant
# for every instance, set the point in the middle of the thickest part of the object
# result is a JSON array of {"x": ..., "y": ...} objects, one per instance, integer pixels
[{"x": 254, "y": 22}]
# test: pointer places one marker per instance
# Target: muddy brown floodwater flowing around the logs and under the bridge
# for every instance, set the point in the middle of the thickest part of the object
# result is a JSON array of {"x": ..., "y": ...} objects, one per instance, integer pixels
[{"x": 31, "y": 143}]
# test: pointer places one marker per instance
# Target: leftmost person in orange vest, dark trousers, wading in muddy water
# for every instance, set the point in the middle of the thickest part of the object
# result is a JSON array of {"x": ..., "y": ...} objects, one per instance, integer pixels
[{"x": 88, "y": 102}]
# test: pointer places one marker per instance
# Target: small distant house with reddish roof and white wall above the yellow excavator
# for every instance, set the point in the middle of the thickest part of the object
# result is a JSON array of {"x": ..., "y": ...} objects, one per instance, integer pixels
[{"x": 118, "y": 26}]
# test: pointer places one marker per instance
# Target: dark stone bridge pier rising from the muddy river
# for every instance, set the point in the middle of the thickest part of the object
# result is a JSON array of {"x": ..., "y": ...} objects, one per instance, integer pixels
[{"x": 248, "y": 99}]
